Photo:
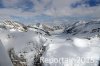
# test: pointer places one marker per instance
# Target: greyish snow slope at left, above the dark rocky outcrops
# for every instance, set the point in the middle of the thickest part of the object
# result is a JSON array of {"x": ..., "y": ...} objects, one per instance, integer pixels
[{"x": 24, "y": 43}]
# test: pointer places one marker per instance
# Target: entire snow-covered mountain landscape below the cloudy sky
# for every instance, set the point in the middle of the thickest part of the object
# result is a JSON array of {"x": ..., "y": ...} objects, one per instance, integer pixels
[{"x": 78, "y": 40}]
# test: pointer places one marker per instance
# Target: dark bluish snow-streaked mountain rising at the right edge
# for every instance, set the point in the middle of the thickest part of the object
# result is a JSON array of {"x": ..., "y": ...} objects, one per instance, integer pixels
[{"x": 82, "y": 27}]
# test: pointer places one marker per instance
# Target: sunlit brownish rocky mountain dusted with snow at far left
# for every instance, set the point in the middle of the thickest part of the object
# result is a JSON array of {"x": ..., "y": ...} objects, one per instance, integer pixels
[{"x": 13, "y": 25}]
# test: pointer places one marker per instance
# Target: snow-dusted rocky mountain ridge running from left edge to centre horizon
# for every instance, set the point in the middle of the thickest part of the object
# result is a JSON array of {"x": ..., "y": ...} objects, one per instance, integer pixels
[{"x": 41, "y": 28}]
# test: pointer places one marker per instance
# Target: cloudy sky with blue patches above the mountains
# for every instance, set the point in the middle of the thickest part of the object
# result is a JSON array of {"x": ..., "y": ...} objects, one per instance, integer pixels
[{"x": 48, "y": 10}]
